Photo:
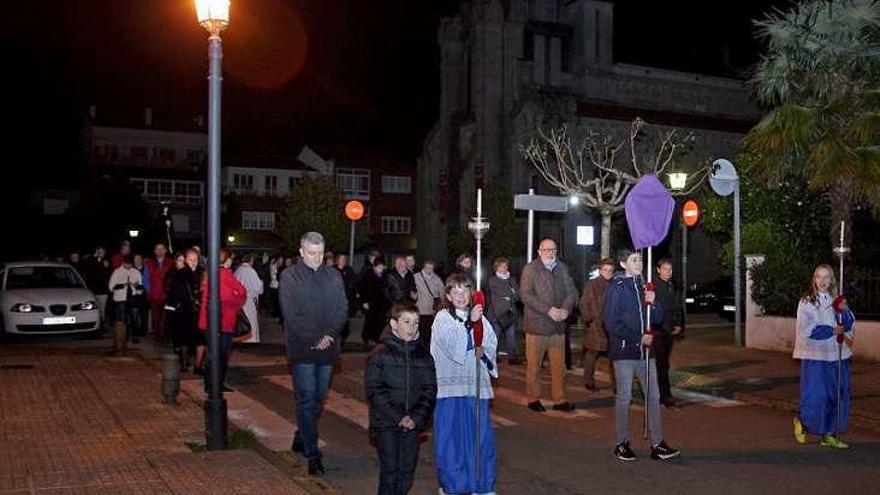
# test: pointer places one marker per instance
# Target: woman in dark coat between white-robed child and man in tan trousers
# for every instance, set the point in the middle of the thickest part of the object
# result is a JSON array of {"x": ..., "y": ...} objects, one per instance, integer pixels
[{"x": 503, "y": 295}]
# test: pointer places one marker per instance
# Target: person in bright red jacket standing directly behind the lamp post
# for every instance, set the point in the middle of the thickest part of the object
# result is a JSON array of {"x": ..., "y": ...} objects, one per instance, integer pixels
[{"x": 232, "y": 297}]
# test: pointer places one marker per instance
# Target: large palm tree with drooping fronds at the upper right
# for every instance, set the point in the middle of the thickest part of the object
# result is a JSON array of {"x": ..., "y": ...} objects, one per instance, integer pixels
[{"x": 821, "y": 73}]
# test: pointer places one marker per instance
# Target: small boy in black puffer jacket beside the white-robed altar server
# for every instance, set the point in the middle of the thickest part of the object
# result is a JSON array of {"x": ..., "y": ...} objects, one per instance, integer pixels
[{"x": 402, "y": 389}]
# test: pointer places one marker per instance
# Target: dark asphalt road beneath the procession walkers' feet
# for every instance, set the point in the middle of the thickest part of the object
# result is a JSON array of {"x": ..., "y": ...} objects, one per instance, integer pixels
[{"x": 729, "y": 447}]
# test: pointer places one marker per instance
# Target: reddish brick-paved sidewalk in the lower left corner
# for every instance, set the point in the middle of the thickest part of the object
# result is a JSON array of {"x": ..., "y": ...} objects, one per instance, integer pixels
[{"x": 75, "y": 421}]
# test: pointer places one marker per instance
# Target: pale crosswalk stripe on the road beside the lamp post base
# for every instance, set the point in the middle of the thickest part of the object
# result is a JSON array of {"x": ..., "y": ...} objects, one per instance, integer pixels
[{"x": 272, "y": 430}]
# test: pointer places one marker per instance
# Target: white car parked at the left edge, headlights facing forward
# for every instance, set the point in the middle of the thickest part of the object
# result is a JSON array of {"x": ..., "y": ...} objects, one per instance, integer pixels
[{"x": 42, "y": 298}]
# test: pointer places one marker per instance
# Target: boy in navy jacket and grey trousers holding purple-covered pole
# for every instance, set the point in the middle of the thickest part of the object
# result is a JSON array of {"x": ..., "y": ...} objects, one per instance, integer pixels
[{"x": 625, "y": 316}]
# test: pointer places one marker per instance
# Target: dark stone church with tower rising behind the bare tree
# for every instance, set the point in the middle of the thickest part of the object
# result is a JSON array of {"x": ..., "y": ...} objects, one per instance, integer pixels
[{"x": 509, "y": 67}]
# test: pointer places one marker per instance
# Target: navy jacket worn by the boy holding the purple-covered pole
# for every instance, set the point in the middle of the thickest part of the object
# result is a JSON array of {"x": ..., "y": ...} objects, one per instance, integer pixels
[{"x": 624, "y": 313}]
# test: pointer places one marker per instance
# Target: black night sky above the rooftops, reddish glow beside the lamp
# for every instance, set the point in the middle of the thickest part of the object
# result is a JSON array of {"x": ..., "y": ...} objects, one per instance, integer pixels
[{"x": 352, "y": 71}]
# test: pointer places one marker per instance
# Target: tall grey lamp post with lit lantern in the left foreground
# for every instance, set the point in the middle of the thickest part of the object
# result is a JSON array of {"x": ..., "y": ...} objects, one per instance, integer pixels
[{"x": 213, "y": 15}]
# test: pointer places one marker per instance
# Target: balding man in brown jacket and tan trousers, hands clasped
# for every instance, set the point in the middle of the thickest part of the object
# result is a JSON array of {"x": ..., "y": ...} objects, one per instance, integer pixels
[{"x": 548, "y": 294}]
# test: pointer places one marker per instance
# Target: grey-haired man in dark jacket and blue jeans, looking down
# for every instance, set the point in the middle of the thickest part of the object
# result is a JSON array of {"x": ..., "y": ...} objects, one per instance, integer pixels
[{"x": 313, "y": 303}]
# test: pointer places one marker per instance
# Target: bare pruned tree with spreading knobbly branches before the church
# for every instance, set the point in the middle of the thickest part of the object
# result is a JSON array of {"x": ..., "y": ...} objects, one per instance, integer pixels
[{"x": 602, "y": 168}]
